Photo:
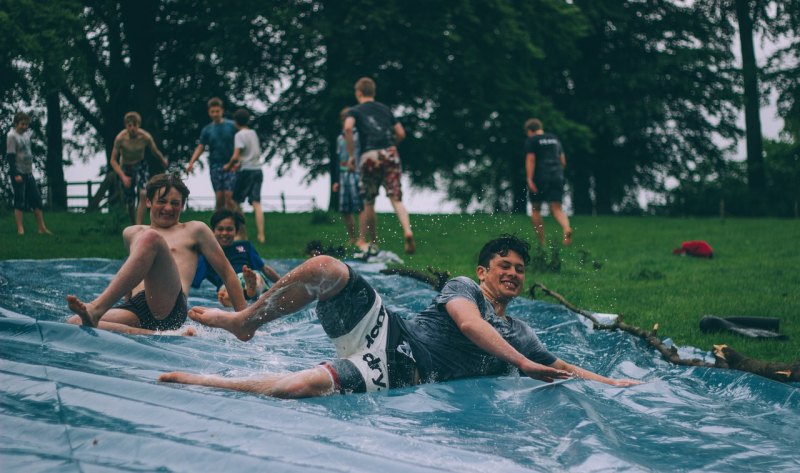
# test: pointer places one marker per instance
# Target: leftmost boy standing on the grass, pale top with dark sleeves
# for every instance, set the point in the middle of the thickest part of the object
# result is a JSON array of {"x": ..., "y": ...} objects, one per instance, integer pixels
[{"x": 20, "y": 161}]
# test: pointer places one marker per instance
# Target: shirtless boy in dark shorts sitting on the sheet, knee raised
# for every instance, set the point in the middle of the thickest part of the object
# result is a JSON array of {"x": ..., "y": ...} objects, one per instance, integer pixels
[{"x": 159, "y": 269}]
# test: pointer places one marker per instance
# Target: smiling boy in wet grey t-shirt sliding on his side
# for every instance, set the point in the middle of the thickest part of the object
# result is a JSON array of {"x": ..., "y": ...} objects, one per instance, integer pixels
[{"x": 465, "y": 331}]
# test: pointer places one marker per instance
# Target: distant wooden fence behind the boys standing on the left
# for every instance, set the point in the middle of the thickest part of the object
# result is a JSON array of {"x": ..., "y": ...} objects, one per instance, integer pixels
[{"x": 271, "y": 203}]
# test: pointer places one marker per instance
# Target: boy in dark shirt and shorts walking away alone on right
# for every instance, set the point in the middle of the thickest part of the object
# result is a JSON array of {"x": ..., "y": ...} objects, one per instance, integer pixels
[{"x": 544, "y": 167}]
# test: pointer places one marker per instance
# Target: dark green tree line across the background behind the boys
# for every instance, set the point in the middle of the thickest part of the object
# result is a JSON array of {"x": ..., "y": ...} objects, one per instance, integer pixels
[{"x": 644, "y": 94}]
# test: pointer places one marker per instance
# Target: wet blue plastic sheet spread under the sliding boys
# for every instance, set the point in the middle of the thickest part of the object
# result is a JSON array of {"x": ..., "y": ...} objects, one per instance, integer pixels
[{"x": 77, "y": 399}]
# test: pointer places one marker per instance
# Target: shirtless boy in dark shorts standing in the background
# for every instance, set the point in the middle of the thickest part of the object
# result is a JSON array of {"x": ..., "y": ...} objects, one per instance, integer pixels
[{"x": 127, "y": 160}]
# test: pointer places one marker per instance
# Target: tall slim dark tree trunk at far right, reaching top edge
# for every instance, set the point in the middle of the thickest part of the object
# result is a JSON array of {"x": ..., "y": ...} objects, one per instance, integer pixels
[{"x": 756, "y": 175}]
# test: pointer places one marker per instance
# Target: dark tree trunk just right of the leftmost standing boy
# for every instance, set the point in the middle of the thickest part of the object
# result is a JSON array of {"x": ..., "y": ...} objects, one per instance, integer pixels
[{"x": 54, "y": 166}]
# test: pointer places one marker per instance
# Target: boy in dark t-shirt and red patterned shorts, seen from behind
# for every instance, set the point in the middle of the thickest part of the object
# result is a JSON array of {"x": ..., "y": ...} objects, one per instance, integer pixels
[{"x": 379, "y": 164}]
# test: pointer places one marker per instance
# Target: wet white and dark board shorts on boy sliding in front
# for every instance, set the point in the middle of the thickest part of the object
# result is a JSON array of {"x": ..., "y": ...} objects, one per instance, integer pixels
[{"x": 366, "y": 340}]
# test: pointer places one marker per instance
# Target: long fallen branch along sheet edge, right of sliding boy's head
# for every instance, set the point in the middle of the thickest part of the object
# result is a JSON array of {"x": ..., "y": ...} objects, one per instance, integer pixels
[{"x": 725, "y": 357}]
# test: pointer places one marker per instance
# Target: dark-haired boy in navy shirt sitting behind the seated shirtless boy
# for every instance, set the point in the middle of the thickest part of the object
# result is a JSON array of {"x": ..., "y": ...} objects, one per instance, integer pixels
[{"x": 251, "y": 270}]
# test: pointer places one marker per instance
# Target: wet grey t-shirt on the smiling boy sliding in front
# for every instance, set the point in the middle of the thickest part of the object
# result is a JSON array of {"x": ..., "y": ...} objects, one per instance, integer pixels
[{"x": 442, "y": 352}]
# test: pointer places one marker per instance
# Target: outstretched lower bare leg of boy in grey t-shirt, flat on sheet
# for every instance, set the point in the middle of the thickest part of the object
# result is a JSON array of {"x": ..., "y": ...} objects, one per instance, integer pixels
[{"x": 307, "y": 383}]
